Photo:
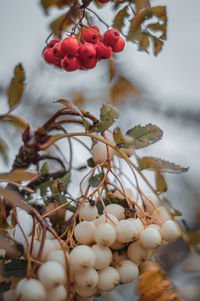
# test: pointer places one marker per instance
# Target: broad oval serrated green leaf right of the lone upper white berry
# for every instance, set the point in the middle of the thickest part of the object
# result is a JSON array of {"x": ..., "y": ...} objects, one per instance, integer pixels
[{"x": 145, "y": 135}]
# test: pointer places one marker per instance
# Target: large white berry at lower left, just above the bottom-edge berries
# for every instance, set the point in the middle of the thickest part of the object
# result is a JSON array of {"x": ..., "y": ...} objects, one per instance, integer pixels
[{"x": 51, "y": 274}]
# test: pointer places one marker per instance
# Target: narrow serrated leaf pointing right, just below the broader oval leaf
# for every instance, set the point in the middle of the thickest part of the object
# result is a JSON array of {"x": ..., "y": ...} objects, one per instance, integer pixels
[{"x": 164, "y": 166}]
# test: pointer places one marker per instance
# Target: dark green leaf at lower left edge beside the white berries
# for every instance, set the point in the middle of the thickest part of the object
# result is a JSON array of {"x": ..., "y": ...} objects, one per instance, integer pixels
[{"x": 15, "y": 268}]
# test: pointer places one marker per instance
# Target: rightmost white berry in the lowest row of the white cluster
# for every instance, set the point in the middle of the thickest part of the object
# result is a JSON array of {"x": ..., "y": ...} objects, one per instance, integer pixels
[{"x": 128, "y": 271}]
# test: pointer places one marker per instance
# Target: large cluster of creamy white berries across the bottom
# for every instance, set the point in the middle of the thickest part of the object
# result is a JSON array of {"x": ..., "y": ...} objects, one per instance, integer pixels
[{"x": 109, "y": 249}]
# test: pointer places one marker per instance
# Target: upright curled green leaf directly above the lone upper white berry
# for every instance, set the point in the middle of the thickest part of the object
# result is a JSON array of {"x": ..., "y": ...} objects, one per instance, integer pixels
[{"x": 108, "y": 115}]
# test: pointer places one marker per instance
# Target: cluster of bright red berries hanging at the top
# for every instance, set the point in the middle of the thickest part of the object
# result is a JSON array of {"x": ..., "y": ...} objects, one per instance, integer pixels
[{"x": 84, "y": 51}]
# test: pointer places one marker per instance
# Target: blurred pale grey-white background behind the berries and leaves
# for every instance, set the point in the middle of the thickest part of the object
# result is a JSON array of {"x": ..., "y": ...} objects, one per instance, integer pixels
[{"x": 163, "y": 90}]
